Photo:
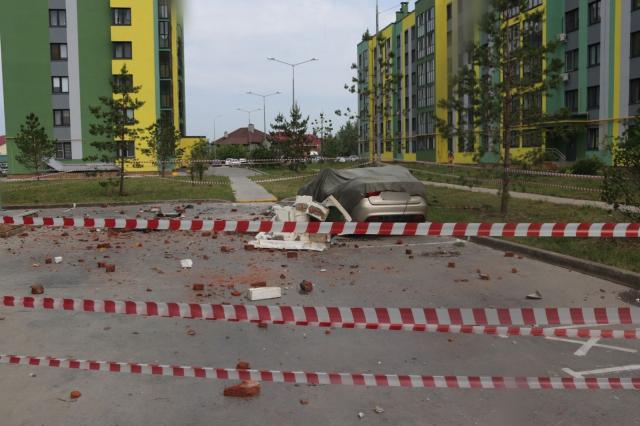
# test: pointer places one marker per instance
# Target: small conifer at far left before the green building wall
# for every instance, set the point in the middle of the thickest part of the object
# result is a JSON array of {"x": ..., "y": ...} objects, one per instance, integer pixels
[{"x": 33, "y": 144}]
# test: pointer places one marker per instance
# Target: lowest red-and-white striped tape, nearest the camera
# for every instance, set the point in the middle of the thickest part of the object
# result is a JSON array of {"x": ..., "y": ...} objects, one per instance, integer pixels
[{"x": 322, "y": 378}]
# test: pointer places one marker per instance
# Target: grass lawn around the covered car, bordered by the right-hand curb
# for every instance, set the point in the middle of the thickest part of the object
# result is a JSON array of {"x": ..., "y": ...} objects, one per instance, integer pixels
[{"x": 446, "y": 205}]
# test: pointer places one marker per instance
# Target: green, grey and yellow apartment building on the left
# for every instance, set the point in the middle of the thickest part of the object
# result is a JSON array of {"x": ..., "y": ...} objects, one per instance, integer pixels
[{"x": 59, "y": 56}]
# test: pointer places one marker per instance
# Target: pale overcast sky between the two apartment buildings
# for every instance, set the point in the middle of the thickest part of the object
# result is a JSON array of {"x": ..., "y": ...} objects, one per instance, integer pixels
[{"x": 226, "y": 48}]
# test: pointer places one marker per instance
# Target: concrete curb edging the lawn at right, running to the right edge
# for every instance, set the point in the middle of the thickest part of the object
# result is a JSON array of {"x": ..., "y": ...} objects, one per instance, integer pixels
[{"x": 617, "y": 275}]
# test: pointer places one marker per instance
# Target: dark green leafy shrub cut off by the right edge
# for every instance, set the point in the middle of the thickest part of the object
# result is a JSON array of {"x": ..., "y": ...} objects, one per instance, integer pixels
[{"x": 622, "y": 181}]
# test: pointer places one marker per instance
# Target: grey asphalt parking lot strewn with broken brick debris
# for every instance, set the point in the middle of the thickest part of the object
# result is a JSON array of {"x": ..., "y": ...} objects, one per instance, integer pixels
[{"x": 354, "y": 272}]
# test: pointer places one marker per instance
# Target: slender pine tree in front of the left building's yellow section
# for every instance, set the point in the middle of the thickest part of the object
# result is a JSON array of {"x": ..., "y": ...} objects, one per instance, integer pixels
[{"x": 116, "y": 122}]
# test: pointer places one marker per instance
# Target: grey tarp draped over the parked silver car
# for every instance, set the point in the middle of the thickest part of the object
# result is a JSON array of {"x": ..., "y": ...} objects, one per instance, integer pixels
[{"x": 351, "y": 185}]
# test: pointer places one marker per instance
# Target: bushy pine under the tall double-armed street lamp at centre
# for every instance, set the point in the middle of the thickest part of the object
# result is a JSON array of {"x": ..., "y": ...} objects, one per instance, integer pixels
[{"x": 290, "y": 136}]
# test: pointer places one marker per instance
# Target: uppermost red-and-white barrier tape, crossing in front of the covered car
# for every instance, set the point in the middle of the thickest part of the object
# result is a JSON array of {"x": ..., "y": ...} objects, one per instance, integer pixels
[{"x": 531, "y": 230}]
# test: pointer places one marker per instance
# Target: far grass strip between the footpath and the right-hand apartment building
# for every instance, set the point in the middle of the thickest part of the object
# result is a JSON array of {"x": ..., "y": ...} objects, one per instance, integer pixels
[{"x": 544, "y": 185}]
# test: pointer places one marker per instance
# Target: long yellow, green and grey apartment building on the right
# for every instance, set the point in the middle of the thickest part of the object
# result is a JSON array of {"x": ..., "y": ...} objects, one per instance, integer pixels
[{"x": 423, "y": 48}]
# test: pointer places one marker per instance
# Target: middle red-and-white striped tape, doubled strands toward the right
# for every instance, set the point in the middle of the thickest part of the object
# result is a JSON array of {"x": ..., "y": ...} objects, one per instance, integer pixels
[{"x": 454, "y": 320}]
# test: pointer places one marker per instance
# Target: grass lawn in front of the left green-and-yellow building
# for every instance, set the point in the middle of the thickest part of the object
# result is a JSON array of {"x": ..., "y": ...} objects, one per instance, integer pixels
[{"x": 89, "y": 191}]
